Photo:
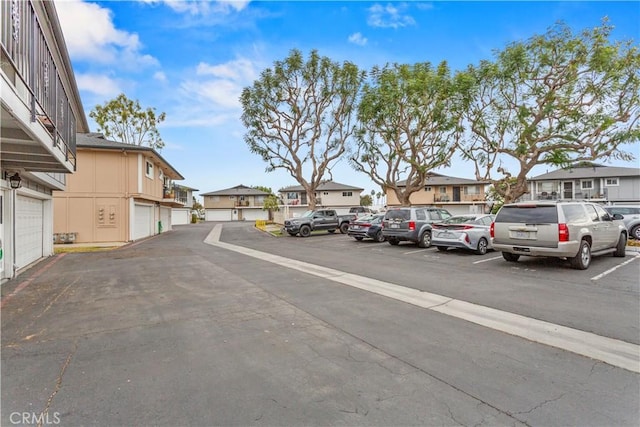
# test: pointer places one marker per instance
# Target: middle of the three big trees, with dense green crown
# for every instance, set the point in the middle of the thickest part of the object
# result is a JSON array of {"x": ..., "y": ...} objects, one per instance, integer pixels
[{"x": 410, "y": 123}]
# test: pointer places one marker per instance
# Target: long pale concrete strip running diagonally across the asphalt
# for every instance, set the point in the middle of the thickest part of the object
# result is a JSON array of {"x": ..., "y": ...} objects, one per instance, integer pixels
[{"x": 609, "y": 350}]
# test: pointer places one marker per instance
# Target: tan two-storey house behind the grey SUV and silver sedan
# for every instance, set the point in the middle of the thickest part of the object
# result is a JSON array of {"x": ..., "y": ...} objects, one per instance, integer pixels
[{"x": 457, "y": 195}]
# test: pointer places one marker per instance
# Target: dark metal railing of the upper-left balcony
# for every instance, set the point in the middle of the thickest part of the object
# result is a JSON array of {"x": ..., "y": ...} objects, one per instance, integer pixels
[{"x": 27, "y": 59}]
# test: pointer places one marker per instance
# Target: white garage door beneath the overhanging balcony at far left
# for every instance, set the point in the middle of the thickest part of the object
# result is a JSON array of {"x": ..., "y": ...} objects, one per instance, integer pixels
[{"x": 29, "y": 230}]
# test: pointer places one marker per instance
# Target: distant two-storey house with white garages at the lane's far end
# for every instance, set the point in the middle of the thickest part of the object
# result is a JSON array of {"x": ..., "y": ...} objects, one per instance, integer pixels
[{"x": 235, "y": 204}]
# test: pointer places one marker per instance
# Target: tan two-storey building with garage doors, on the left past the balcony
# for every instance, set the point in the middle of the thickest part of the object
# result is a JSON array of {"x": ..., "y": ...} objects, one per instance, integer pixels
[{"x": 120, "y": 193}]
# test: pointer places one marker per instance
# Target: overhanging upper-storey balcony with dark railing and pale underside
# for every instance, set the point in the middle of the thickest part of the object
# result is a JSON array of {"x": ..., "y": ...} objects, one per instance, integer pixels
[{"x": 38, "y": 122}]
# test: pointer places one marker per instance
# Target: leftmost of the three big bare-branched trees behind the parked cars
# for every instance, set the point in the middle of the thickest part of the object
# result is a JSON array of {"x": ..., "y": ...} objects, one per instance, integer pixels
[{"x": 299, "y": 116}]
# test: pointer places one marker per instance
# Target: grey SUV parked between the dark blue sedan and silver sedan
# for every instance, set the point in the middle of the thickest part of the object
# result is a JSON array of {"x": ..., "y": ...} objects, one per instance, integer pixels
[{"x": 411, "y": 224}]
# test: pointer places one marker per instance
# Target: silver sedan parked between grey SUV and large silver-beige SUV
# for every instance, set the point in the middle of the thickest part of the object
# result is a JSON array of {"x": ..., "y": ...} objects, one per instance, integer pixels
[{"x": 470, "y": 231}]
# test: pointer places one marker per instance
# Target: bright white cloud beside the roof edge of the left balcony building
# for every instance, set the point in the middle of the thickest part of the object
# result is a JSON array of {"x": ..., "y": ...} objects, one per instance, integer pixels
[{"x": 90, "y": 35}]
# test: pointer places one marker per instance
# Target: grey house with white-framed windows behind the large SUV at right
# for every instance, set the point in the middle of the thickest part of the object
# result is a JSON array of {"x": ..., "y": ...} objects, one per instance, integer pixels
[{"x": 587, "y": 181}]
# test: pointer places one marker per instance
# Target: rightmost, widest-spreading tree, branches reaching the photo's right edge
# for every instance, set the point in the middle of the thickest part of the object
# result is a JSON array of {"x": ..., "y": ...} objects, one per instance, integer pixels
[{"x": 554, "y": 99}]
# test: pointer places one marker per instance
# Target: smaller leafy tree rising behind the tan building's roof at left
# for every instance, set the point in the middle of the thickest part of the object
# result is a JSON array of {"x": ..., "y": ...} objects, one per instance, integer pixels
[{"x": 125, "y": 121}]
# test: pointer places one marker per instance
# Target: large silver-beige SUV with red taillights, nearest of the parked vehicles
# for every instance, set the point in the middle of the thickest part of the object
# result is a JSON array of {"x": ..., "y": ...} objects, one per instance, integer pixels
[{"x": 563, "y": 229}]
